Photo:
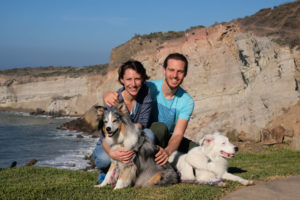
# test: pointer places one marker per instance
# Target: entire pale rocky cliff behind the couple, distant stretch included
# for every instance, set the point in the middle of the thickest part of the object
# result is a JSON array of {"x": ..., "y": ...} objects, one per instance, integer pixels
[{"x": 242, "y": 75}]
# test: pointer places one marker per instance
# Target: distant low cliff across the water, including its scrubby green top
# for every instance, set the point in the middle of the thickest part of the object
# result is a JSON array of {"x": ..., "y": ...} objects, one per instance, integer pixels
[{"x": 51, "y": 90}]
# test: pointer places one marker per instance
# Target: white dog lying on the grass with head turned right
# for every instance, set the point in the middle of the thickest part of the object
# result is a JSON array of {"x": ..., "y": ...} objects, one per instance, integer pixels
[{"x": 208, "y": 161}]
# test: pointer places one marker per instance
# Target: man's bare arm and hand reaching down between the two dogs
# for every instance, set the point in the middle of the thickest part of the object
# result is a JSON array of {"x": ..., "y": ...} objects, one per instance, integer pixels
[{"x": 163, "y": 155}]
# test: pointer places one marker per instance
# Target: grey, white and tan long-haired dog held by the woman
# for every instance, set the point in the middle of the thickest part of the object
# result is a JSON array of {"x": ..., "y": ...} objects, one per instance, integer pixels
[{"x": 142, "y": 171}]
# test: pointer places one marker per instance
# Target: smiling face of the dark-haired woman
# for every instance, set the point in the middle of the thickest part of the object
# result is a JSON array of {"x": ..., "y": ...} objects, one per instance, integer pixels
[{"x": 132, "y": 82}]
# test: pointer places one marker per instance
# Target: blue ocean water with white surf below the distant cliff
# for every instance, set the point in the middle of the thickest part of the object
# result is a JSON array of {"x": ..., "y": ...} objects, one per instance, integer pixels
[{"x": 24, "y": 137}]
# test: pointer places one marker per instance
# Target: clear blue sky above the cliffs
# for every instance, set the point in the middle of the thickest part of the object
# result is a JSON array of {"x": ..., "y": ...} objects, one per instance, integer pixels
[{"x": 79, "y": 33}]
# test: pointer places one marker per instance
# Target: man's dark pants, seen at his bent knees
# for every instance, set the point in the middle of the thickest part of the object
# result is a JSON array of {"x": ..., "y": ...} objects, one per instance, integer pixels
[{"x": 162, "y": 137}]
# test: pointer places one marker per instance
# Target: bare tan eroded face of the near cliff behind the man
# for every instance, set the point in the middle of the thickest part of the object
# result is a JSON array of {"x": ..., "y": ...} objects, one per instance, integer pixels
[{"x": 239, "y": 81}]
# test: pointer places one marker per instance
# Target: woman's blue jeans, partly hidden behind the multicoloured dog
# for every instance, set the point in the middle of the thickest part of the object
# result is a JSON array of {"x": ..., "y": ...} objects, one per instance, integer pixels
[{"x": 102, "y": 159}]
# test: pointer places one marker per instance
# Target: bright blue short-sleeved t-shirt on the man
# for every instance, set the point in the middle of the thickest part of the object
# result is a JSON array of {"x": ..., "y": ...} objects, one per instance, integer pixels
[{"x": 169, "y": 111}]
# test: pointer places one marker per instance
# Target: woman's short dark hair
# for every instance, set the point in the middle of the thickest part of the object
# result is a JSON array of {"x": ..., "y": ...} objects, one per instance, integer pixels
[{"x": 134, "y": 65}]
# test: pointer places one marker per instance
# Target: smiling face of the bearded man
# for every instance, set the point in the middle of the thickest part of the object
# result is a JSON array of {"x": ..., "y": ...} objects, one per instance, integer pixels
[{"x": 174, "y": 73}]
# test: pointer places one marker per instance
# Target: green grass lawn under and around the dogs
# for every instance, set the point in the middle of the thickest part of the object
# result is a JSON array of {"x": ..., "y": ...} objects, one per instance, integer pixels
[{"x": 51, "y": 183}]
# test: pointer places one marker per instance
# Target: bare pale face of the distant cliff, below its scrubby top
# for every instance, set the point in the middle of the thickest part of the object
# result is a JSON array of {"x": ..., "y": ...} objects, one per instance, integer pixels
[{"x": 70, "y": 96}]
